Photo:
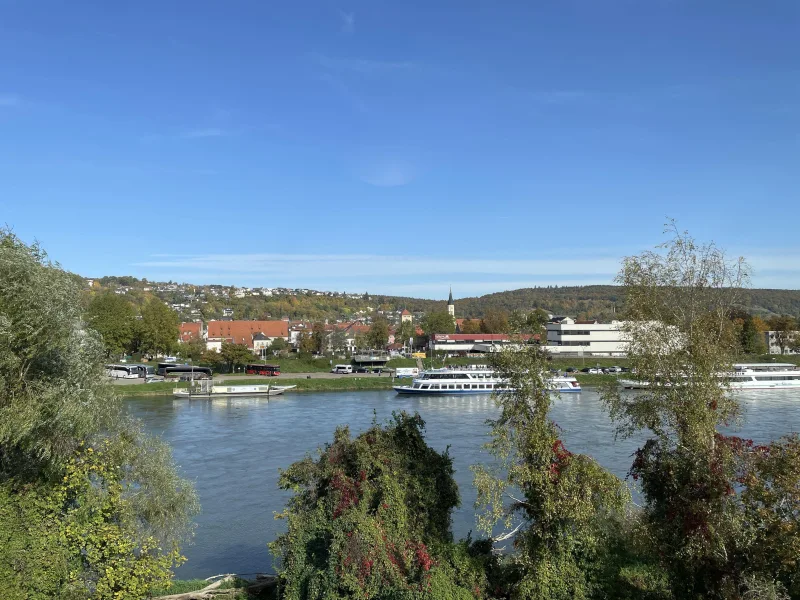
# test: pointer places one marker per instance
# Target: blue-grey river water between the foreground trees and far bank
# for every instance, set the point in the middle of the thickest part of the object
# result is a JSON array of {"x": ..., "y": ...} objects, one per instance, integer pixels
[{"x": 232, "y": 450}]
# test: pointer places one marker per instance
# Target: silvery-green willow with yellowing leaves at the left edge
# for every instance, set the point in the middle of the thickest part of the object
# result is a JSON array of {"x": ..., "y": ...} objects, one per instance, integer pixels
[{"x": 89, "y": 506}]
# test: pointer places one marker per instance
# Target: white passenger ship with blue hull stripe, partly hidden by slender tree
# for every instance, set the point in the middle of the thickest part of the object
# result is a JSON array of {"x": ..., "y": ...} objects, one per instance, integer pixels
[{"x": 472, "y": 381}]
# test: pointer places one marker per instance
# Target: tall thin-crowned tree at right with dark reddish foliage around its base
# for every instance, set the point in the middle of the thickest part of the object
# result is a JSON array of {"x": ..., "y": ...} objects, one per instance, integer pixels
[{"x": 707, "y": 511}]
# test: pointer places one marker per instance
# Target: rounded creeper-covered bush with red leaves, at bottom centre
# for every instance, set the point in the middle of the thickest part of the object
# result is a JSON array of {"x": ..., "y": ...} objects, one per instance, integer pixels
[{"x": 370, "y": 518}]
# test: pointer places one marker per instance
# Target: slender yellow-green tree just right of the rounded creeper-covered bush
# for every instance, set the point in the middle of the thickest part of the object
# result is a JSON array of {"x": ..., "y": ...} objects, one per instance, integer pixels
[{"x": 562, "y": 502}]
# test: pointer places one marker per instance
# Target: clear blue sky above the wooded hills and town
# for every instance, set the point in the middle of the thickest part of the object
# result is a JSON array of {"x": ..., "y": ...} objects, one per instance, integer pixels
[{"x": 399, "y": 147}]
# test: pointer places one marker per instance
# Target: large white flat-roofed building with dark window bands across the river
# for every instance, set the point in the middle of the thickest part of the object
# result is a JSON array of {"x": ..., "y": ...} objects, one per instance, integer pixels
[{"x": 566, "y": 336}]
